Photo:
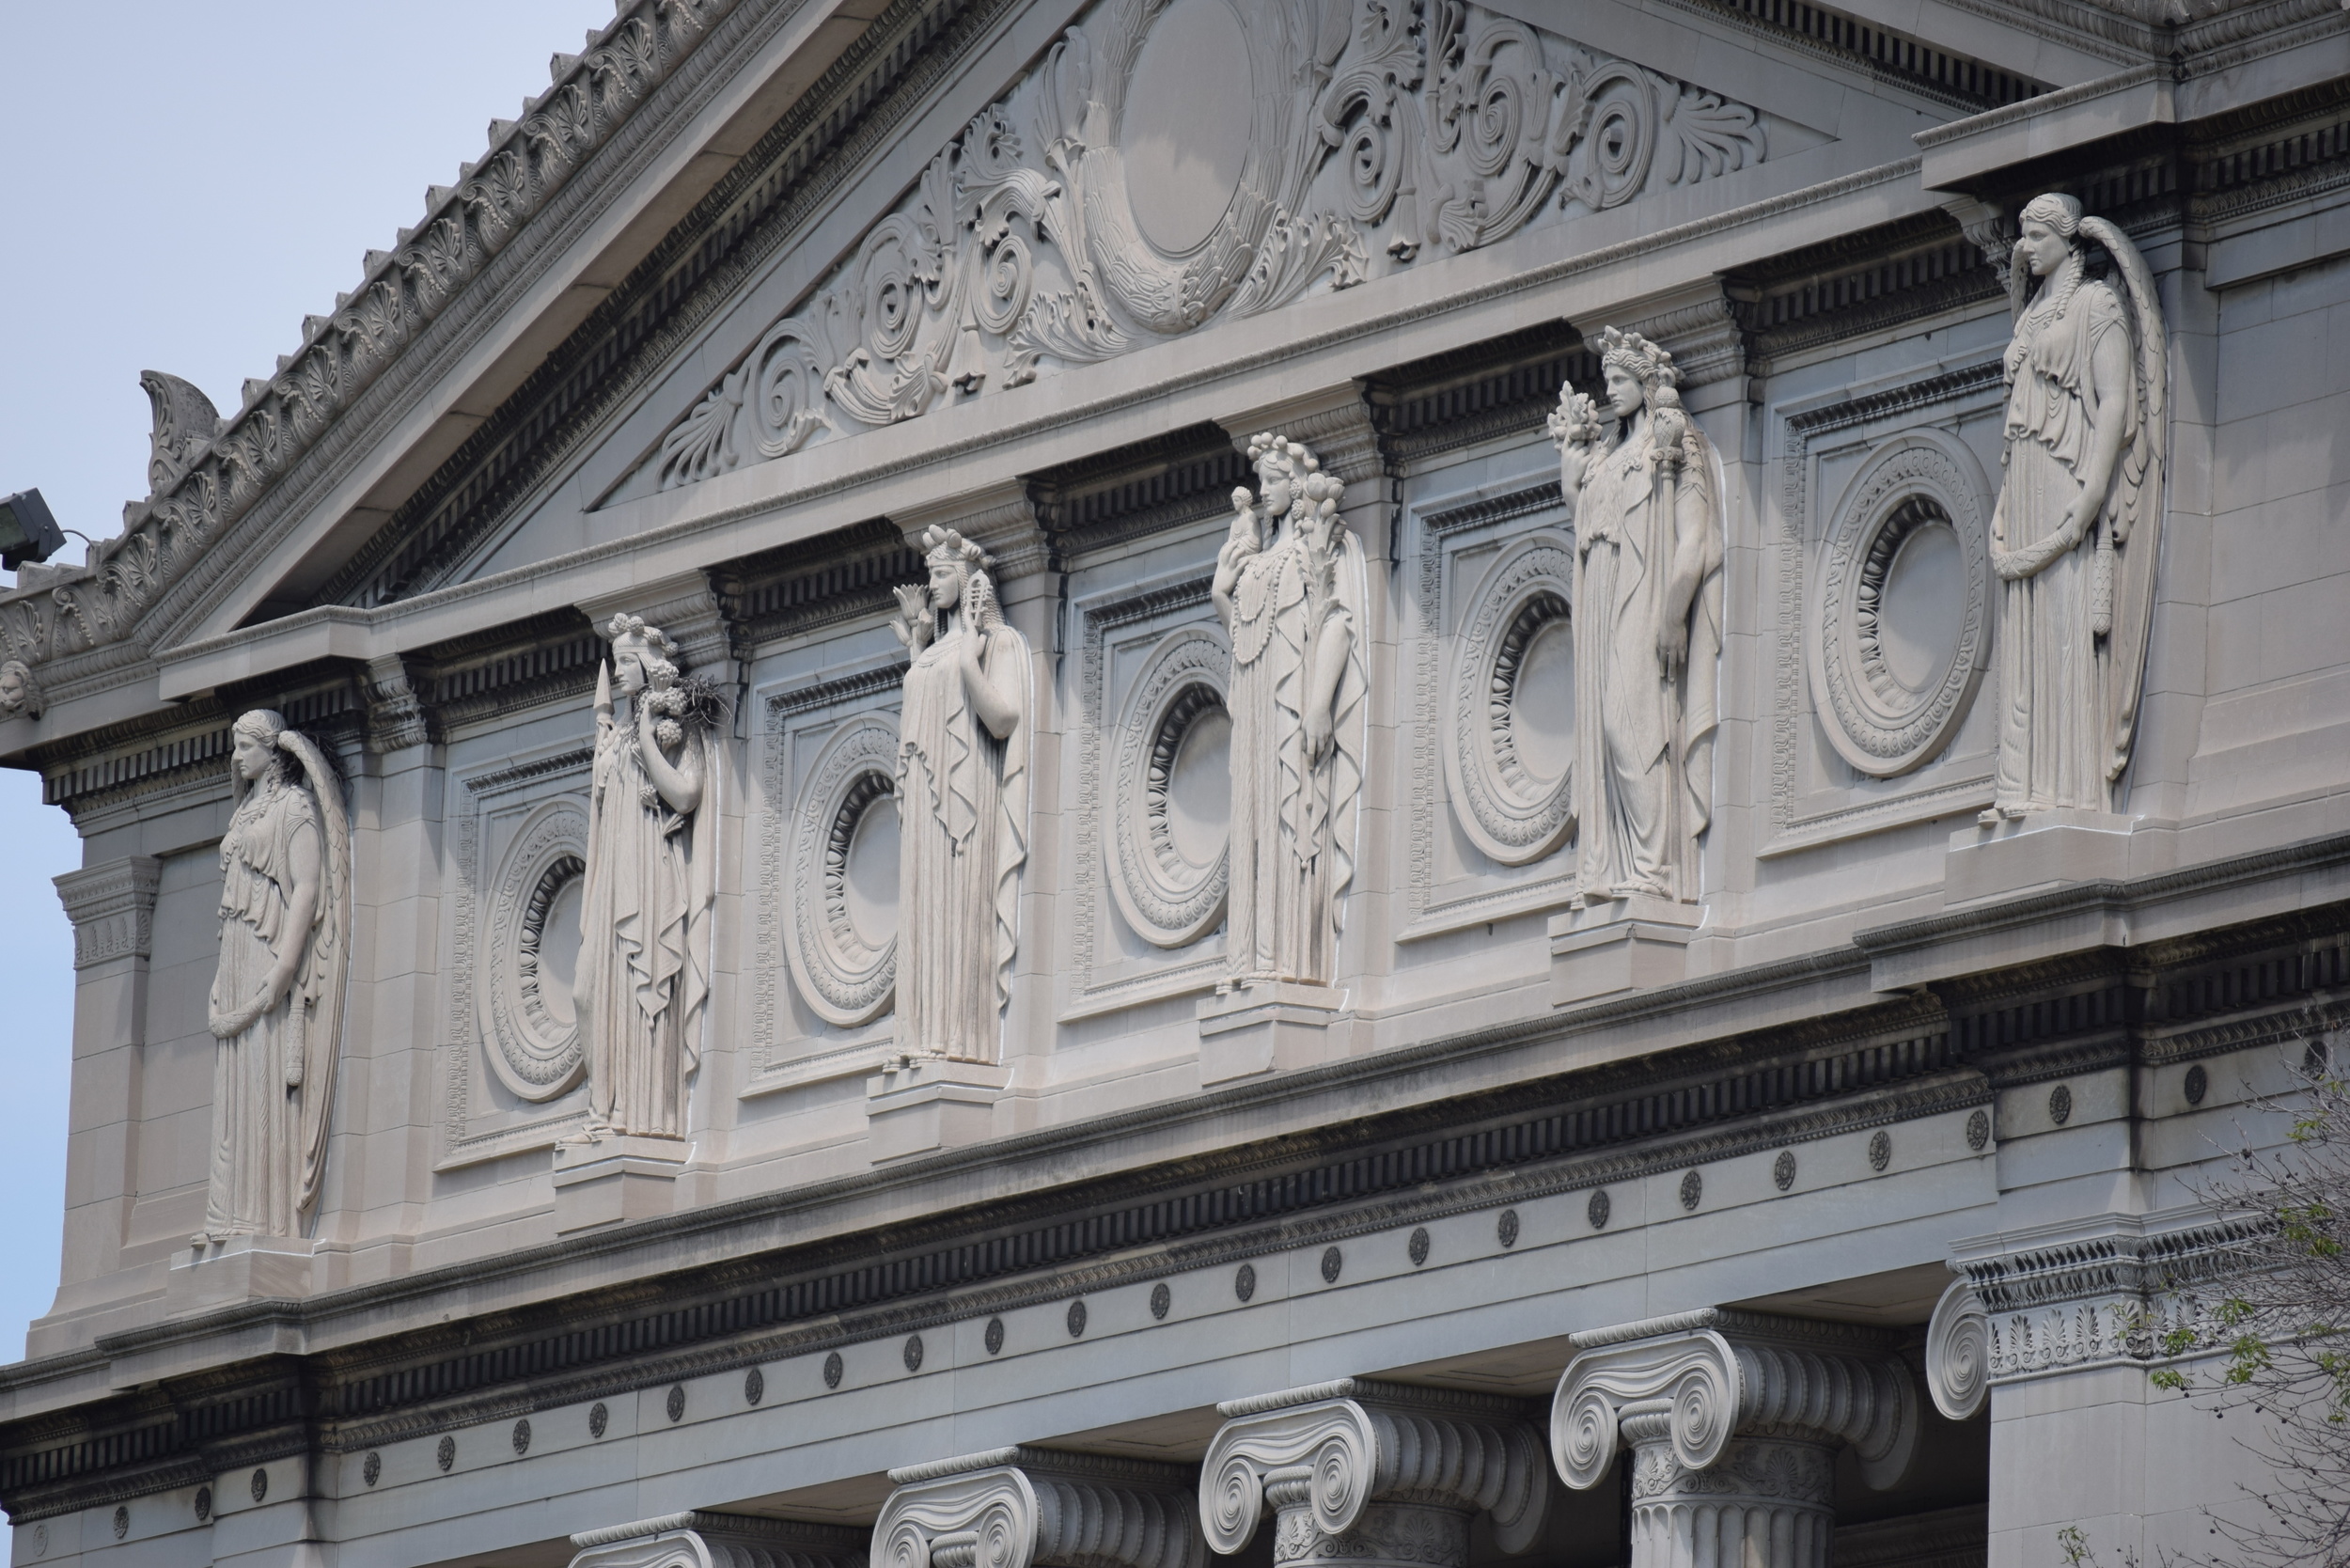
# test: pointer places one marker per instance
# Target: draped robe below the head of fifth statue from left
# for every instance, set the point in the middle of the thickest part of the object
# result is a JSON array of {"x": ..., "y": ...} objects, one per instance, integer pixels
[{"x": 1644, "y": 742}]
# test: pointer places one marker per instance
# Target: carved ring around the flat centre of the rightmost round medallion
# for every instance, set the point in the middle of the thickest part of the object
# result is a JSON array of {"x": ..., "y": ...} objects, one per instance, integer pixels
[{"x": 1869, "y": 716}]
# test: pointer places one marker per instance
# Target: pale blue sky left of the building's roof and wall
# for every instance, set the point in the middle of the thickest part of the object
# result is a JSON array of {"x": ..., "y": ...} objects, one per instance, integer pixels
[{"x": 180, "y": 185}]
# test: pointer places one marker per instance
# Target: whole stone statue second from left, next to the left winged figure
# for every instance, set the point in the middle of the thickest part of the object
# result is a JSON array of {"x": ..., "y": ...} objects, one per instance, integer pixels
[{"x": 645, "y": 909}]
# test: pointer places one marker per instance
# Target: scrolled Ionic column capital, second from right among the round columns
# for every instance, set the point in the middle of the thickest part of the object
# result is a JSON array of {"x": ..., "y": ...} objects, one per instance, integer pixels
[{"x": 1374, "y": 1473}]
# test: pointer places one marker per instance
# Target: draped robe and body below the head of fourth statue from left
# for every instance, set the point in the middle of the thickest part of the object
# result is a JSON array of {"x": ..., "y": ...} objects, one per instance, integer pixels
[{"x": 1294, "y": 819}]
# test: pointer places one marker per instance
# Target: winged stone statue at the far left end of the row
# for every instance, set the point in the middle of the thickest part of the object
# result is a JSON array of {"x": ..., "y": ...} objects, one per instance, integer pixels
[{"x": 278, "y": 993}]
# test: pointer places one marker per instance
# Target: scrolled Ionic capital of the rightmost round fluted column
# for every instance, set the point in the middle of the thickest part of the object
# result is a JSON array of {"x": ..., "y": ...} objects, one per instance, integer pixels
[{"x": 1724, "y": 1374}]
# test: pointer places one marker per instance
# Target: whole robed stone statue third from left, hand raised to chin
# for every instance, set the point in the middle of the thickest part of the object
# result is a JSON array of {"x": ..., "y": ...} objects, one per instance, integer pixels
[{"x": 962, "y": 805}]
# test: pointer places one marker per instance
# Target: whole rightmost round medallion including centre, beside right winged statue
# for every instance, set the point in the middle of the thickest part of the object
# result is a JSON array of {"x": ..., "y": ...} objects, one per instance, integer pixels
[{"x": 1900, "y": 622}]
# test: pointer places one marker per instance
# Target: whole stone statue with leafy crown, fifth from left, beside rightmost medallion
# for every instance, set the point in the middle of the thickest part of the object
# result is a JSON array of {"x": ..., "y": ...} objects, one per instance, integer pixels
[{"x": 1646, "y": 504}]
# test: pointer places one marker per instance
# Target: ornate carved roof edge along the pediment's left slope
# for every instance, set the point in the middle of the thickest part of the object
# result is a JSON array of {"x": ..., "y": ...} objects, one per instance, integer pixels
[{"x": 210, "y": 471}]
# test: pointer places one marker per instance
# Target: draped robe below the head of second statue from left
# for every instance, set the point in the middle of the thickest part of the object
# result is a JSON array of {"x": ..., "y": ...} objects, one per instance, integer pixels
[{"x": 645, "y": 956}]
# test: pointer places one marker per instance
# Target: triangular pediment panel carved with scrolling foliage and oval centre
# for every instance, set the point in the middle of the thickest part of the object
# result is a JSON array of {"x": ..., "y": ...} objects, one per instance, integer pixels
[{"x": 1176, "y": 163}]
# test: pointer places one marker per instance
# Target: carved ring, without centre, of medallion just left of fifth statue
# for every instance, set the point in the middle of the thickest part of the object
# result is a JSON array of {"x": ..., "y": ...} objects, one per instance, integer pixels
[{"x": 1508, "y": 810}]
